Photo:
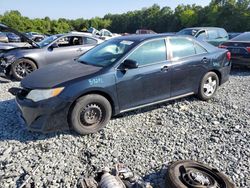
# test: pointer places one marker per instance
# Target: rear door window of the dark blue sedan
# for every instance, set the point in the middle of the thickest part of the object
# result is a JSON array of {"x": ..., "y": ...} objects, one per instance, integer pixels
[{"x": 182, "y": 47}]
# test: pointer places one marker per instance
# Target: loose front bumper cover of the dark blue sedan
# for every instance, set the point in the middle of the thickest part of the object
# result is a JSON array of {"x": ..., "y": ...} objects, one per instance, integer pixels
[{"x": 44, "y": 116}]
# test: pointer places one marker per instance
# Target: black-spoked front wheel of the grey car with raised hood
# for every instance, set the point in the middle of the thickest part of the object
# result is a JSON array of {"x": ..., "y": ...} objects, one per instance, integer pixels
[{"x": 22, "y": 67}]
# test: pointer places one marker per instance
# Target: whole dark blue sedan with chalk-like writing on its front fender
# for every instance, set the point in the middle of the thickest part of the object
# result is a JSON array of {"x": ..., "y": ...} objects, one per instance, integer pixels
[{"x": 119, "y": 75}]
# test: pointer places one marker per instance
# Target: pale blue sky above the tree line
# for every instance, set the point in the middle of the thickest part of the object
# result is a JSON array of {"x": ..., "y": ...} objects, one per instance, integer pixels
[{"x": 72, "y": 9}]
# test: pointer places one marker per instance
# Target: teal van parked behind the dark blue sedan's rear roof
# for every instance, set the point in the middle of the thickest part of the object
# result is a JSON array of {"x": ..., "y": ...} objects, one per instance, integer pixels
[{"x": 212, "y": 35}]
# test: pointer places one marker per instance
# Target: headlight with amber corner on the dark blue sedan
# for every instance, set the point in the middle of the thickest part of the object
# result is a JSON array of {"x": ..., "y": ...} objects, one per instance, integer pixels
[{"x": 42, "y": 94}]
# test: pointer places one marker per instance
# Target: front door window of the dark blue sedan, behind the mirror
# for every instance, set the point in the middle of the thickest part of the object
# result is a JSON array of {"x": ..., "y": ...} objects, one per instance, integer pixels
[{"x": 150, "y": 52}]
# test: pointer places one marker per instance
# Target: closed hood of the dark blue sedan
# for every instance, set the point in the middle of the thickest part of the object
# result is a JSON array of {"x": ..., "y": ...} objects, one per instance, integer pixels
[{"x": 53, "y": 75}]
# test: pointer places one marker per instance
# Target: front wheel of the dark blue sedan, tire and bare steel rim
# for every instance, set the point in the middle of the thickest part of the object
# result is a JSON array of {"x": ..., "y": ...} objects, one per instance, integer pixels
[{"x": 90, "y": 114}]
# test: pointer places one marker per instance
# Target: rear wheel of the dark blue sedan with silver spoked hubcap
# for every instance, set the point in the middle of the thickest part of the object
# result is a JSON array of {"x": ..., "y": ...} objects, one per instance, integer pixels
[{"x": 205, "y": 93}]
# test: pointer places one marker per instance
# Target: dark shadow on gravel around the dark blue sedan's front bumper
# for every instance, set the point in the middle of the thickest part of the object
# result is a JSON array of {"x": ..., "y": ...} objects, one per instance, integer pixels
[{"x": 12, "y": 127}]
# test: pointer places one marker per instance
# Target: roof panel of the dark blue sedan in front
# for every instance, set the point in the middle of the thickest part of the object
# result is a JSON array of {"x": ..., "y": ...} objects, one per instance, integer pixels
[{"x": 143, "y": 37}]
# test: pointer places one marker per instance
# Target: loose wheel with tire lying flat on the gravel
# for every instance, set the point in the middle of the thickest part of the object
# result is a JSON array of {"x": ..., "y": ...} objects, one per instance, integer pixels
[{"x": 190, "y": 174}]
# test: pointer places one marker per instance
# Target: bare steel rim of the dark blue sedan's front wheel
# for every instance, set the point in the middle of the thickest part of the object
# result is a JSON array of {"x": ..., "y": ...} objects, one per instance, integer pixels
[{"x": 90, "y": 115}]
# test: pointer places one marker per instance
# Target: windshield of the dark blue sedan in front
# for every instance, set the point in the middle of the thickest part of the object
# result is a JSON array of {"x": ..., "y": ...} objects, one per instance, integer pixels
[{"x": 107, "y": 53}]
